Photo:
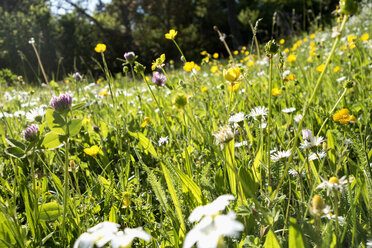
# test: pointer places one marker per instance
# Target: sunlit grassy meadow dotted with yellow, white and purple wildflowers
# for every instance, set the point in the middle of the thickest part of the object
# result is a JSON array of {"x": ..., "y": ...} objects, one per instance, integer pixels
[{"x": 265, "y": 148}]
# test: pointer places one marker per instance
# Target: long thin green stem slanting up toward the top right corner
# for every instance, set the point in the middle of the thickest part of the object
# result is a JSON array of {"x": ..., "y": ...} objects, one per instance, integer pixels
[{"x": 306, "y": 108}]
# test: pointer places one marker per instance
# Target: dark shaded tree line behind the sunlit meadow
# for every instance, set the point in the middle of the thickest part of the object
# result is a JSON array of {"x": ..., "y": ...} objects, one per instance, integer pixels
[{"x": 66, "y": 42}]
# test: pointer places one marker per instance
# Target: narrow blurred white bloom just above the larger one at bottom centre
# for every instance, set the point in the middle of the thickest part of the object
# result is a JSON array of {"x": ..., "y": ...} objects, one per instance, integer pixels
[{"x": 212, "y": 208}]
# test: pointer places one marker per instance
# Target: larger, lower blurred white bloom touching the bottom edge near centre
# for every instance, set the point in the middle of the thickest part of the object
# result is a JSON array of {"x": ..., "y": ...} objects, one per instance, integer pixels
[{"x": 208, "y": 233}]
